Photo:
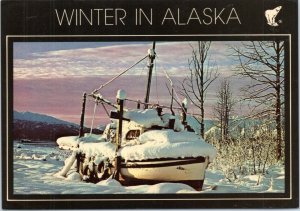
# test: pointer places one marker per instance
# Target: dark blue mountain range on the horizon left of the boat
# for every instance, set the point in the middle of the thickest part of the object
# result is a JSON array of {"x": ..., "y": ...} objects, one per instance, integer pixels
[{"x": 34, "y": 126}]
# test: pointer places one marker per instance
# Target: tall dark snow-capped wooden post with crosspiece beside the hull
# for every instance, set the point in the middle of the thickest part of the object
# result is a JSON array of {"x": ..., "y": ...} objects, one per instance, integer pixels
[{"x": 121, "y": 96}]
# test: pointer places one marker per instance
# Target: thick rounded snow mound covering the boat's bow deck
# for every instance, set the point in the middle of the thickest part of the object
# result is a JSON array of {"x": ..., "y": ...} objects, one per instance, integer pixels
[{"x": 168, "y": 144}]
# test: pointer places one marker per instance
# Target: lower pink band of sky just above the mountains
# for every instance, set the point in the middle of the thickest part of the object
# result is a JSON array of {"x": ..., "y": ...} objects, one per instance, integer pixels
[{"x": 62, "y": 97}]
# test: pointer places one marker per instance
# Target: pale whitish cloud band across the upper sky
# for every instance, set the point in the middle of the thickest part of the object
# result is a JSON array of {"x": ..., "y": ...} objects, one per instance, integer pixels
[{"x": 111, "y": 60}]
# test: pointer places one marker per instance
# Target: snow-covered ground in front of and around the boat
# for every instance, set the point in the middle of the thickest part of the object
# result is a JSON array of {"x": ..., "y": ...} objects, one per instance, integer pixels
[{"x": 35, "y": 167}]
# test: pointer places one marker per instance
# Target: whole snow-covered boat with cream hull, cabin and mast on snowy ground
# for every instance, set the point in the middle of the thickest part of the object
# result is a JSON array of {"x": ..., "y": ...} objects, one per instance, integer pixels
[{"x": 141, "y": 146}]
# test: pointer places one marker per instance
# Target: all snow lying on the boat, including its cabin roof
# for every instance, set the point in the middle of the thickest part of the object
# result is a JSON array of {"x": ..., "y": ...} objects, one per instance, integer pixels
[{"x": 165, "y": 143}]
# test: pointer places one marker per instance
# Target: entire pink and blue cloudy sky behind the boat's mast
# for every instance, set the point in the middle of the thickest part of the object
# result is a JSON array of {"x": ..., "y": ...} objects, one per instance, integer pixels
[{"x": 52, "y": 81}]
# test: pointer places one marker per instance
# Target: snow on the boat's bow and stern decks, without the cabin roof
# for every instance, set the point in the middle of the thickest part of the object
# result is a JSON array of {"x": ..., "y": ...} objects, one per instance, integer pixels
[{"x": 150, "y": 145}]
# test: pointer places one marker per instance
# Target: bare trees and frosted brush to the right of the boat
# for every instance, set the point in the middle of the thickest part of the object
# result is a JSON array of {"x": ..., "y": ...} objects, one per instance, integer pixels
[{"x": 260, "y": 65}]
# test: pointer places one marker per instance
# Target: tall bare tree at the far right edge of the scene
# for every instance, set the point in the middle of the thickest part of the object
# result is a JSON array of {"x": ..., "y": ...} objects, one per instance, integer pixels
[{"x": 263, "y": 63}]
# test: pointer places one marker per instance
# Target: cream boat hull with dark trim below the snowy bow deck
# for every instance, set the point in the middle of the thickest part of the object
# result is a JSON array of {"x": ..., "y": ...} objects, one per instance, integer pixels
[{"x": 190, "y": 171}]
